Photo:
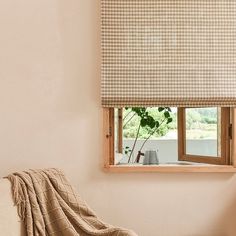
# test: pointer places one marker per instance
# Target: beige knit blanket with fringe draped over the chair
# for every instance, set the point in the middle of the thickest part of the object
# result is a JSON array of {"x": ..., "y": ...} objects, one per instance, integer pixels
[{"x": 48, "y": 205}]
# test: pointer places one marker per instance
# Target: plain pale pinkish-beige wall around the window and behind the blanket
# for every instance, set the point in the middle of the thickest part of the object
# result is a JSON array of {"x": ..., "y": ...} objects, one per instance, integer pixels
[{"x": 50, "y": 116}]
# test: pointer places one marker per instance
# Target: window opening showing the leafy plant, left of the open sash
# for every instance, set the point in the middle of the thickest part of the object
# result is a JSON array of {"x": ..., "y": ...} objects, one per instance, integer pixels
[{"x": 147, "y": 129}]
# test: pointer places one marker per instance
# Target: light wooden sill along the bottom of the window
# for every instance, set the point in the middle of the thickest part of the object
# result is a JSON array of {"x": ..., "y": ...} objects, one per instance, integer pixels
[{"x": 205, "y": 168}]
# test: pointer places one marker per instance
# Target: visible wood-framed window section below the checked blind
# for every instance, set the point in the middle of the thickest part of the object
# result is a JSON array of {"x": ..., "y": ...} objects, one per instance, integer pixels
[{"x": 181, "y": 137}]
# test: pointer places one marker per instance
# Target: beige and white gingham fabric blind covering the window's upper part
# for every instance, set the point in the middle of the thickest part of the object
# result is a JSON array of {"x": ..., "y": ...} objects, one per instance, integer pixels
[{"x": 168, "y": 52}]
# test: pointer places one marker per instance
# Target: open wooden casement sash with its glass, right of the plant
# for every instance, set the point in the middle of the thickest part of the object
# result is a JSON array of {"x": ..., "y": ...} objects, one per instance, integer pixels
[{"x": 204, "y": 135}]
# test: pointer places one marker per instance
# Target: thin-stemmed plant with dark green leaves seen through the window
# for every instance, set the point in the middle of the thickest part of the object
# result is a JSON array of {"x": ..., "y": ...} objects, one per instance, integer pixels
[{"x": 147, "y": 121}]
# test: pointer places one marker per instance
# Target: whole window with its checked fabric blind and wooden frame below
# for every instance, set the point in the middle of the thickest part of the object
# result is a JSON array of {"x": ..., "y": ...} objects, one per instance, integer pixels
[{"x": 177, "y": 59}]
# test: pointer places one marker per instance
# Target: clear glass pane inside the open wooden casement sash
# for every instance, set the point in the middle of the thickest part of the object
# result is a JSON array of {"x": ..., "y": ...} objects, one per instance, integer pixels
[{"x": 203, "y": 131}]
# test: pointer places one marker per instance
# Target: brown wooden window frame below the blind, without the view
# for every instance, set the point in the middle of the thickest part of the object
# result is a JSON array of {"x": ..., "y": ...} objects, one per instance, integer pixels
[{"x": 227, "y": 161}]
